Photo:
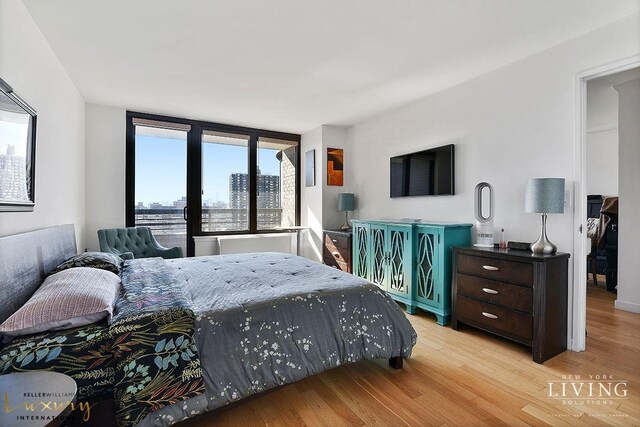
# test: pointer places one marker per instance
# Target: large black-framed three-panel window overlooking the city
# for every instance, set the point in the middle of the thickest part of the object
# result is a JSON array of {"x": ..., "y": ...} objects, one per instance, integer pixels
[{"x": 189, "y": 178}]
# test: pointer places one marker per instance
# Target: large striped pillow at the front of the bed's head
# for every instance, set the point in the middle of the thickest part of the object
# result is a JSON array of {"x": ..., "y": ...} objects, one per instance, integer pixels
[{"x": 70, "y": 298}]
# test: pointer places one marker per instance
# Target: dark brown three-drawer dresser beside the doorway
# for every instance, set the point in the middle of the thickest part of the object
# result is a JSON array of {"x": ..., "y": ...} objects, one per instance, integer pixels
[{"x": 515, "y": 294}]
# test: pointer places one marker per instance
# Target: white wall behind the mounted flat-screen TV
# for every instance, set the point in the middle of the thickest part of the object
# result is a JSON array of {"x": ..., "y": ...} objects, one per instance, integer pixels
[{"x": 509, "y": 125}]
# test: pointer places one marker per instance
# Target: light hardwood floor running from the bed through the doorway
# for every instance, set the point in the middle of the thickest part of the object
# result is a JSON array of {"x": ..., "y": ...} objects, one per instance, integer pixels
[{"x": 468, "y": 378}]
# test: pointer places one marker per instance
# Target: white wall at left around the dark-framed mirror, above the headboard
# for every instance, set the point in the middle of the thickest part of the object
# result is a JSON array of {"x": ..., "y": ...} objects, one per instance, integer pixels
[{"x": 29, "y": 65}]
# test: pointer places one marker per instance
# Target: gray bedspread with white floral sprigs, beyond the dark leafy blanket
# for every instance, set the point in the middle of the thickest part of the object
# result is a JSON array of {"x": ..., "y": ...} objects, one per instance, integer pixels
[{"x": 265, "y": 320}]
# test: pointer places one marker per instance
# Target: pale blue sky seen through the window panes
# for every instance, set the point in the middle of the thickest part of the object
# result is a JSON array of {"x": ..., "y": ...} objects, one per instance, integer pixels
[{"x": 161, "y": 168}]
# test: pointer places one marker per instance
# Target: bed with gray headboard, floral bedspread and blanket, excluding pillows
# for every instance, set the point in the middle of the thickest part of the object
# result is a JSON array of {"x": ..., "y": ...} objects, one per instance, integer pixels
[{"x": 192, "y": 335}]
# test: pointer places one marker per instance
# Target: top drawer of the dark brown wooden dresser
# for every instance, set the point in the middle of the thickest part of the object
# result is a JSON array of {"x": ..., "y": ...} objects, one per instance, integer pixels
[{"x": 497, "y": 269}]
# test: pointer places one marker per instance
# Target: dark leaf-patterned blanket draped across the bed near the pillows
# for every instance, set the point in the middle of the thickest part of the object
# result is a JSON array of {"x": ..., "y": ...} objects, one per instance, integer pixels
[{"x": 146, "y": 359}]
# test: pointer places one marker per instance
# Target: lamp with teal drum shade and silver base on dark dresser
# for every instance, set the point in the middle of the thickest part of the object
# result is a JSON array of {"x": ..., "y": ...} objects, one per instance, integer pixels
[{"x": 545, "y": 196}]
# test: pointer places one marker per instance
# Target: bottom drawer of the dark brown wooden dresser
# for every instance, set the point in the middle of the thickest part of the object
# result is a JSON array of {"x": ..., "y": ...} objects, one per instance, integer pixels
[{"x": 500, "y": 320}]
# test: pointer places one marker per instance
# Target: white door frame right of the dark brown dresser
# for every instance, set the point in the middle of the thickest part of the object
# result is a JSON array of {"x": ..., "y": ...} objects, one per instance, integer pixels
[{"x": 578, "y": 312}]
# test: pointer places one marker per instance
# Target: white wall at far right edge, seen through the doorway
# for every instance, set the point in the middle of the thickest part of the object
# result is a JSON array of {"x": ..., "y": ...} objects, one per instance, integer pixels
[{"x": 629, "y": 208}]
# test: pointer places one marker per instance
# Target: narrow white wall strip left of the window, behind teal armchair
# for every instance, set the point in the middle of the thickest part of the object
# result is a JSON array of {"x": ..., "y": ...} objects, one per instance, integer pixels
[{"x": 105, "y": 134}]
